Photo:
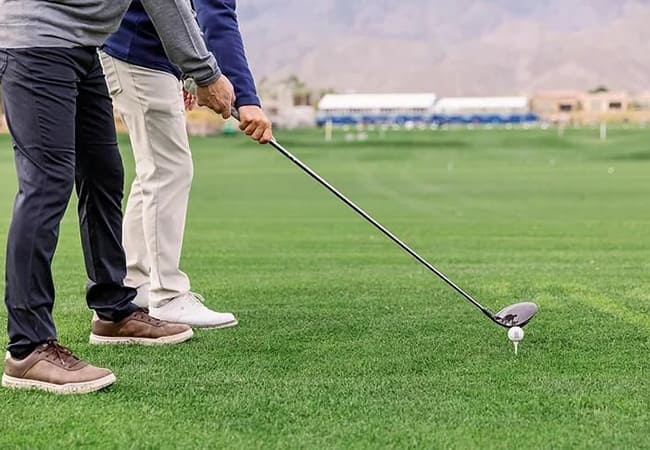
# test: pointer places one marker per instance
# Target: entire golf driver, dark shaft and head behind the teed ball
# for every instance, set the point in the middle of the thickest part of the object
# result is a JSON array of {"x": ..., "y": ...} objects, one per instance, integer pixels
[{"x": 518, "y": 314}]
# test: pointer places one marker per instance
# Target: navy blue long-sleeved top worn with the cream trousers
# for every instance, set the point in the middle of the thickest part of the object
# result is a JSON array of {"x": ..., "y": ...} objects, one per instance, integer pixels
[{"x": 137, "y": 42}]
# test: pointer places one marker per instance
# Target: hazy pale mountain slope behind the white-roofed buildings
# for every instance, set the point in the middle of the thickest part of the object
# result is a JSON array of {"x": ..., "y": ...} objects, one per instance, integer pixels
[{"x": 451, "y": 47}]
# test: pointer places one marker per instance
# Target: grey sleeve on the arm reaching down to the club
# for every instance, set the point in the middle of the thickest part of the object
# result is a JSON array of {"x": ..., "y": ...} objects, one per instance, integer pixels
[{"x": 182, "y": 40}]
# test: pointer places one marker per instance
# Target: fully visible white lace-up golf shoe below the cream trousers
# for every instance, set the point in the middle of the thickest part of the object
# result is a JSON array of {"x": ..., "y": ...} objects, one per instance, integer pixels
[{"x": 190, "y": 310}]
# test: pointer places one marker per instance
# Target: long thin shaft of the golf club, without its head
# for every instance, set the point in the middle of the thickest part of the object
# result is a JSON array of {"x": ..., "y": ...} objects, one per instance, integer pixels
[{"x": 374, "y": 222}]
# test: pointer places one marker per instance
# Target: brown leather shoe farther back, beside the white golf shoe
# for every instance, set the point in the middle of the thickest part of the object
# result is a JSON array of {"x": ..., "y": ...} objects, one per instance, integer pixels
[{"x": 139, "y": 328}]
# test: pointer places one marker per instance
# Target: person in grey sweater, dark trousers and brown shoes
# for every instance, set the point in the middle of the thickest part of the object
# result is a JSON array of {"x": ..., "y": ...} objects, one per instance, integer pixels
[{"x": 60, "y": 117}]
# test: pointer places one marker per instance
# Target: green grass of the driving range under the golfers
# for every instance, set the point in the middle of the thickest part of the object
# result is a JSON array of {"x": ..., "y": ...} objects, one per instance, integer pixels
[{"x": 345, "y": 342}]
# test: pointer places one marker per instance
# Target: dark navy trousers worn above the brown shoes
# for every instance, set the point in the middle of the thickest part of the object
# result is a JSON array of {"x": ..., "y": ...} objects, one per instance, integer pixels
[{"x": 61, "y": 121}]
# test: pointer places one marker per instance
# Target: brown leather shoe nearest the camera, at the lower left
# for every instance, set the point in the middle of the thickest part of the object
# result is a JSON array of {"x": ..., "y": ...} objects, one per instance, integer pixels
[{"x": 53, "y": 368}]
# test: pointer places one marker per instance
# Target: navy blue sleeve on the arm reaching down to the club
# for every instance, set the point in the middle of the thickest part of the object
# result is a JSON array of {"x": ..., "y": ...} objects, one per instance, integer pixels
[{"x": 218, "y": 21}]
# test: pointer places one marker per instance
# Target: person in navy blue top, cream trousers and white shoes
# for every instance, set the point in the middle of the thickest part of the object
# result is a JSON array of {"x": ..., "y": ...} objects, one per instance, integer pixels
[{"x": 147, "y": 94}]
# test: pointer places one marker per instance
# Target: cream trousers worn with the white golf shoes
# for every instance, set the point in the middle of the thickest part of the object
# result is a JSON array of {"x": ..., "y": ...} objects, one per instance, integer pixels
[{"x": 151, "y": 105}]
